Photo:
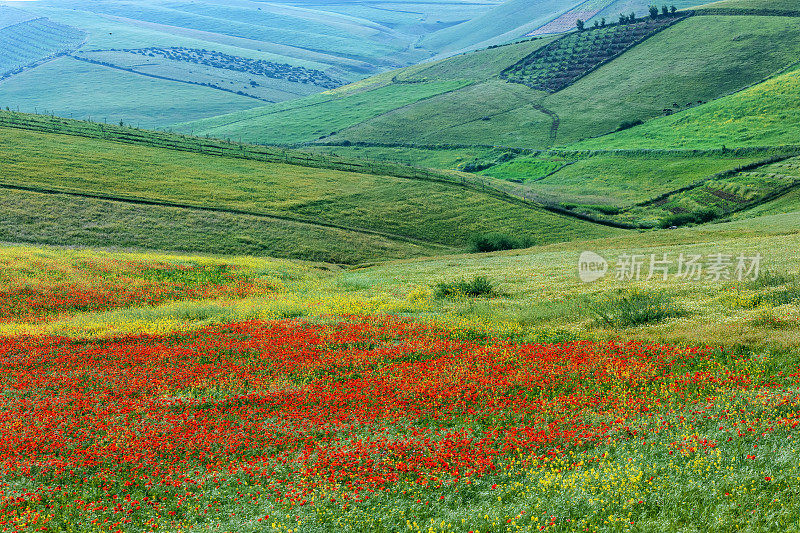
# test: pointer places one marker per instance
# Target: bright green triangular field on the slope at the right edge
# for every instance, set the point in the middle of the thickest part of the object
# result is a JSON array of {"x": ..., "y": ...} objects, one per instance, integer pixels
[{"x": 761, "y": 115}]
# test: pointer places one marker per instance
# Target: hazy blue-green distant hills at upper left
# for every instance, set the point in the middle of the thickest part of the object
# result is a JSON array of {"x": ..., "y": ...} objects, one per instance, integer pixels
[{"x": 235, "y": 55}]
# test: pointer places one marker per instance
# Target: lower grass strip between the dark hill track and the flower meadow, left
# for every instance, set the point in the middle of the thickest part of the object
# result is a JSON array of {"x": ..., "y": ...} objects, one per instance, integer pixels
[{"x": 65, "y": 220}]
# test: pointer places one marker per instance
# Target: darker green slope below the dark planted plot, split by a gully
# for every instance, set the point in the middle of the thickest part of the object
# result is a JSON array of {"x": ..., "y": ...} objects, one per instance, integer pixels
[{"x": 662, "y": 75}]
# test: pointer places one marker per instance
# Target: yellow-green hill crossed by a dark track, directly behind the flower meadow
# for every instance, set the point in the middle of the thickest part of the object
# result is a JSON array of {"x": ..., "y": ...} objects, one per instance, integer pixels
[{"x": 342, "y": 216}]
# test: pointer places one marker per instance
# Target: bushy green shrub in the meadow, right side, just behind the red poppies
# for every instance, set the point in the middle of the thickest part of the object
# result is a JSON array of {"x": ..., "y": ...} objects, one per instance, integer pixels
[{"x": 631, "y": 308}]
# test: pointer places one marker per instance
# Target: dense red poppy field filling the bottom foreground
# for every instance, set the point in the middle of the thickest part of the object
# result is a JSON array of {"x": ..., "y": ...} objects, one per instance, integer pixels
[{"x": 385, "y": 424}]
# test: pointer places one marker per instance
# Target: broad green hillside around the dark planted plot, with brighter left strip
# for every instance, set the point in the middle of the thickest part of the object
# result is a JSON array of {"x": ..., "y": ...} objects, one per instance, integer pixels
[{"x": 662, "y": 75}]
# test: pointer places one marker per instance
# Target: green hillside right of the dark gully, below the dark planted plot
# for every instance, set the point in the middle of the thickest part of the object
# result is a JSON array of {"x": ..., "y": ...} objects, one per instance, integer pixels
[{"x": 726, "y": 55}]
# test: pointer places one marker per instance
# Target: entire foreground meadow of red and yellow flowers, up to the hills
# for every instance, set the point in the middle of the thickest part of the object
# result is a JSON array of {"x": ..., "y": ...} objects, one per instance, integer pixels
[{"x": 615, "y": 405}]
